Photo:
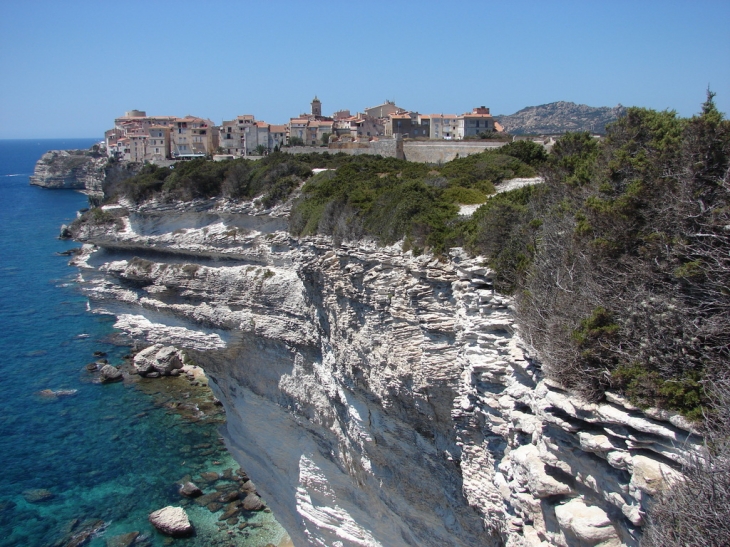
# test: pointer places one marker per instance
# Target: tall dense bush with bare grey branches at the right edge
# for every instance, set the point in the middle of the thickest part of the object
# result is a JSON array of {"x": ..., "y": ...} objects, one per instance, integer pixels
[{"x": 627, "y": 287}]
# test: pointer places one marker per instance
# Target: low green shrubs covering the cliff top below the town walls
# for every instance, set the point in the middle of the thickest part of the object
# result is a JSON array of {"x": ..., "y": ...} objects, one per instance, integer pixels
[{"x": 383, "y": 198}]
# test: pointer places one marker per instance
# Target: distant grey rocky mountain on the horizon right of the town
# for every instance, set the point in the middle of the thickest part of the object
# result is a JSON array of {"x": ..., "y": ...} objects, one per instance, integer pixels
[{"x": 560, "y": 117}]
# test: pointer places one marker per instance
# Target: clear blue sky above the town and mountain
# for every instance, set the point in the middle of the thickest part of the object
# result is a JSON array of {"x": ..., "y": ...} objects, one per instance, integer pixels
[{"x": 67, "y": 69}]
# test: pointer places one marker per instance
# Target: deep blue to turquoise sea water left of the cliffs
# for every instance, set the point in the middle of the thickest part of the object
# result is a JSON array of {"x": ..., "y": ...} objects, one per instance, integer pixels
[{"x": 104, "y": 456}]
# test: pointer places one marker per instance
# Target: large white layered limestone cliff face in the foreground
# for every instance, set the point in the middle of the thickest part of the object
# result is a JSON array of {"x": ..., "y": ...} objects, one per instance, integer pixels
[{"x": 377, "y": 398}]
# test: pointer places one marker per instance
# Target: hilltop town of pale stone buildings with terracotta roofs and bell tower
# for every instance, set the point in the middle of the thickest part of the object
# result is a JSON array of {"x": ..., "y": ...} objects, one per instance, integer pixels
[{"x": 137, "y": 137}]
